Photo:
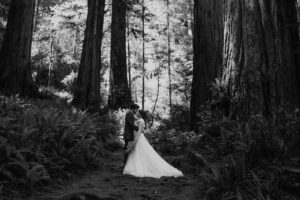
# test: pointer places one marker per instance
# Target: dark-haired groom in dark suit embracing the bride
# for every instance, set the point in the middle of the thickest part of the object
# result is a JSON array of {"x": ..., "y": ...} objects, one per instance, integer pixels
[{"x": 129, "y": 128}]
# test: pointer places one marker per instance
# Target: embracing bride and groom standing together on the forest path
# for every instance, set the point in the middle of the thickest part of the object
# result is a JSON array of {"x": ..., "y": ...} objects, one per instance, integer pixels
[{"x": 140, "y": 159}]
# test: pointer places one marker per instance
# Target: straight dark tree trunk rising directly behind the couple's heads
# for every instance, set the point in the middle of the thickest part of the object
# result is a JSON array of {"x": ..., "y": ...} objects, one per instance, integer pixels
[{"x": 119, "y": 90}]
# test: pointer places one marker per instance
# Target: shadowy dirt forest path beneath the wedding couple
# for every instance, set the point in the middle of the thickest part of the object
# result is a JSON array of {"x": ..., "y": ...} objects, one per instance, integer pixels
[{"x": 109, "y": 183}]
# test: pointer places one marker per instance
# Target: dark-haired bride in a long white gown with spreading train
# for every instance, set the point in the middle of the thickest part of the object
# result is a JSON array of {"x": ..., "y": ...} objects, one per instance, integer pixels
[{"x": 144, "y": 161}]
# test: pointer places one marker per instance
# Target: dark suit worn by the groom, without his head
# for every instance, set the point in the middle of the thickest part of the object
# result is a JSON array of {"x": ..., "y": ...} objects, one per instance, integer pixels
[{"x": 128, "y": 131}]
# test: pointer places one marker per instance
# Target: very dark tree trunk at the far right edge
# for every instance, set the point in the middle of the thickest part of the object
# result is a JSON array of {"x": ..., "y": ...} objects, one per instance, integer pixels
[{"x": 291, "y": 50}]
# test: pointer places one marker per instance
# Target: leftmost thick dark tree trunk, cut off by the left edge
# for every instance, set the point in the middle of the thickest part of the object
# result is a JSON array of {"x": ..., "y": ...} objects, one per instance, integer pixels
[{"x": 15, "y": 53}]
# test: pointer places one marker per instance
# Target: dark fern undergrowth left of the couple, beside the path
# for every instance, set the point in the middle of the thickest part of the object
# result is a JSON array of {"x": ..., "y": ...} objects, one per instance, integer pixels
[{"x": 42, "y": 141}]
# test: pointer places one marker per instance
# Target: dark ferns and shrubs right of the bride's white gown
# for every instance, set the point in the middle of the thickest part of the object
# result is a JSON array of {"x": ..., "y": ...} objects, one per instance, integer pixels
[{"x": 256, "y": 159}]
